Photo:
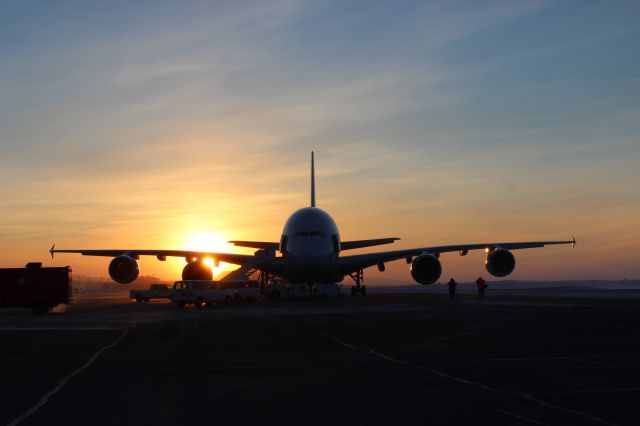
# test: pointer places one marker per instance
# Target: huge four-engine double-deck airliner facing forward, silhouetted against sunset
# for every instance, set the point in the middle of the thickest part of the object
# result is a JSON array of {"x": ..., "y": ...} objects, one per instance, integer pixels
[{"x": 310, "y": 252}]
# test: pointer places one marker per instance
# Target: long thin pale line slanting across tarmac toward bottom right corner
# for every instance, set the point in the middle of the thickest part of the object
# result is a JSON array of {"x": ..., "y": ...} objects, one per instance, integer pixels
[{"x": 524, "y": 395}]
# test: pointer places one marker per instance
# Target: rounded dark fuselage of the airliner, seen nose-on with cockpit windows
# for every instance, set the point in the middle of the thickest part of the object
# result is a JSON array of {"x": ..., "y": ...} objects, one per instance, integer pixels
[{"x": 310, "y": 246}]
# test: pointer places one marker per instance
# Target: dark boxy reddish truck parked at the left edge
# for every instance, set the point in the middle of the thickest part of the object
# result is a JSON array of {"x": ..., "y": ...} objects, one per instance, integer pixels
[{"x": 35, "y": 287}]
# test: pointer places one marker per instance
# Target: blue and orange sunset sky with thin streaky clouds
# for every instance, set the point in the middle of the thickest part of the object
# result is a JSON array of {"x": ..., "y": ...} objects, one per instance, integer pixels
[{"x": 181, "y": 125}]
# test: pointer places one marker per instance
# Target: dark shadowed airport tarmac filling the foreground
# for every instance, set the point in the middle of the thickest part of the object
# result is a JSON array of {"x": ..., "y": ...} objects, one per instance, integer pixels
[{"x": 516, "y": 358}]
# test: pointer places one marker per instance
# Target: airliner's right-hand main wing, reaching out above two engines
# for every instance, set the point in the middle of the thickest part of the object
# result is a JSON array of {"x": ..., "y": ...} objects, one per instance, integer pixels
[{"x": 350, "y": 264}]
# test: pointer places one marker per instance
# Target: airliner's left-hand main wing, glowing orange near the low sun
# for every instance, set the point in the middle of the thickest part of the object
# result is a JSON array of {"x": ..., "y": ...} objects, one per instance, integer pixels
[{"x": 237, "y": 259}]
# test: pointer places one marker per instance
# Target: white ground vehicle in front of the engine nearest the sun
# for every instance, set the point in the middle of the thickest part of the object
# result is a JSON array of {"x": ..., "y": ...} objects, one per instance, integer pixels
[{"x": 199, "y": 293}]
